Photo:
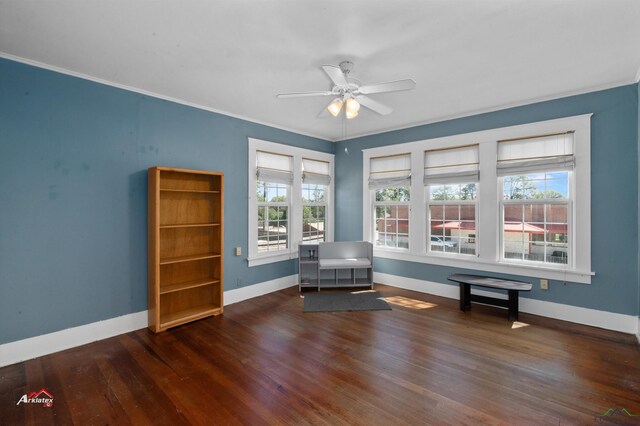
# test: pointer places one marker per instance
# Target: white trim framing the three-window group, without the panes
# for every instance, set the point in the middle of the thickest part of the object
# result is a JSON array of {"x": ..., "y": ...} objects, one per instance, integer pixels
[{"x": 487, "y": 232}]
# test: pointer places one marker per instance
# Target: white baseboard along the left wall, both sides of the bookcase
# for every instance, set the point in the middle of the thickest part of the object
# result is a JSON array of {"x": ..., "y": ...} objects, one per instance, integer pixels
[{"x": 33, "y": 347}]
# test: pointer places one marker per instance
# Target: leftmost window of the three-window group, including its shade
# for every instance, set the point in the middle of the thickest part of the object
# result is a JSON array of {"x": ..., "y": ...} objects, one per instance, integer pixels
[{"x": 389, "y": 179}]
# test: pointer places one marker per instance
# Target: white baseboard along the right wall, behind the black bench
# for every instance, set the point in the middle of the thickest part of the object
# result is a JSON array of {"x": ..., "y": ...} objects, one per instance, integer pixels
[{"x": 608, "y": 320}]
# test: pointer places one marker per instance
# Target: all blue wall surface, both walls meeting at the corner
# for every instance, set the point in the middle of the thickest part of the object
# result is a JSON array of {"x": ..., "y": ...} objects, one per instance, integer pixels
[{"x": 73, "y": 160}]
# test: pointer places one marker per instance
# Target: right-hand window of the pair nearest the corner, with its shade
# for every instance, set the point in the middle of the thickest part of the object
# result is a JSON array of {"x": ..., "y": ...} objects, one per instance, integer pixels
[{"x": 315, "y": 180}]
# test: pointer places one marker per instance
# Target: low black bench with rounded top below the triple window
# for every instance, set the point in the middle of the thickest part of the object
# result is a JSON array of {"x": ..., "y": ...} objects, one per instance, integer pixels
[{"x": 512, "y": 287}]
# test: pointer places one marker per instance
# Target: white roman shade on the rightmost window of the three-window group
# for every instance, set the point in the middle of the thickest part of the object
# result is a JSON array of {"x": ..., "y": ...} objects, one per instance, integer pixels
[{"x": 544, "y": 153}]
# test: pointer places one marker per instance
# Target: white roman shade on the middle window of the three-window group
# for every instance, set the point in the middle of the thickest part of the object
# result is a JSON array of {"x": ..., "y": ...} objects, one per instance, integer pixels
[{"x": 451, "y": 165}]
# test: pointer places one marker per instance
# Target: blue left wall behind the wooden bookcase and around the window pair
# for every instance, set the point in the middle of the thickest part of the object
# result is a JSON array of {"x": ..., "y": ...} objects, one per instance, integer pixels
[{"x": 73, "y": 203}]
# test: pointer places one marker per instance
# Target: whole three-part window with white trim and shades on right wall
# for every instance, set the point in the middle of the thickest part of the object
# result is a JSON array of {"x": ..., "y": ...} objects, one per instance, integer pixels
[{"x": 514, "y": 200}]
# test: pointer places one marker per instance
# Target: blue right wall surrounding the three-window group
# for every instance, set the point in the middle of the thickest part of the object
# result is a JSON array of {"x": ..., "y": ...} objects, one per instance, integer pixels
[{"x": 614, "y": 202}]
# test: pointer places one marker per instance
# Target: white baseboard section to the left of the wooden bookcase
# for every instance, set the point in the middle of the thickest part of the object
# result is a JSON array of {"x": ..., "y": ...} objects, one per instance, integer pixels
[{"x": 33, "y": 347}]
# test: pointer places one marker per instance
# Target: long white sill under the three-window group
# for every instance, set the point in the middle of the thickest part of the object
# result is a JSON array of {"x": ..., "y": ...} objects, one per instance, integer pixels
[{"x": 474, "y": 263}]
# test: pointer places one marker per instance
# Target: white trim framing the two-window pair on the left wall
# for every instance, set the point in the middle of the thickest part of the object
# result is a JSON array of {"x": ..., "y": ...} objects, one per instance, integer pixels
[{"x": 295, "y": 200}]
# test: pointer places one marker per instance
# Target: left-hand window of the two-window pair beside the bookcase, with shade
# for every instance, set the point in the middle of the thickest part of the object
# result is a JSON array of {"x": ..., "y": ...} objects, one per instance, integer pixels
[{"x": 274, "y": 177}]
